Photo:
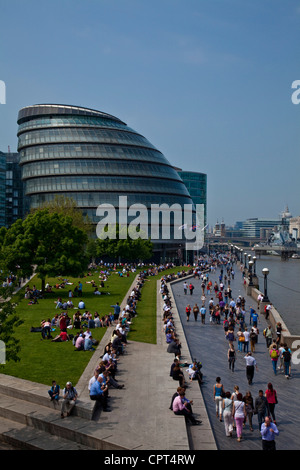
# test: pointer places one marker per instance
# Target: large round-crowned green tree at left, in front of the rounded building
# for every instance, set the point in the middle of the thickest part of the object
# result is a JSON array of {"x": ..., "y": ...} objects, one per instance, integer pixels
[{"x": 46, "y": 243}]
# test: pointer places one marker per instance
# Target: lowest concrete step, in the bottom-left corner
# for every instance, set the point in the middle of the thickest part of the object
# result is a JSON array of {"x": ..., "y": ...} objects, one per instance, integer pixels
[{"x": 24, "y": 437}]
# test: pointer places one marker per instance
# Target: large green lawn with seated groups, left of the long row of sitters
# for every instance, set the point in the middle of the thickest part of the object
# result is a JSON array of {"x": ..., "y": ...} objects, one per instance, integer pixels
[{"x": 42, "y": 360}]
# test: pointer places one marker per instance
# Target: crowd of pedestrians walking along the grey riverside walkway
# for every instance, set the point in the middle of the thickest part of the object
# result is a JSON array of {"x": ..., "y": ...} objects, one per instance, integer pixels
[{"x": 222, "y": 308}]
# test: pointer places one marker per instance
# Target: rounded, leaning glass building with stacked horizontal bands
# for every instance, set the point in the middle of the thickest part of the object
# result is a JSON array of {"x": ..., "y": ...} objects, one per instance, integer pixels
[{"x": 93, "y": 158}]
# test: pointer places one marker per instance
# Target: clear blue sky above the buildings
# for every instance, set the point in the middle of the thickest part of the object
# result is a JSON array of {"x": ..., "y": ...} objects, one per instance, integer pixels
[{"x": 208, "y": 82}]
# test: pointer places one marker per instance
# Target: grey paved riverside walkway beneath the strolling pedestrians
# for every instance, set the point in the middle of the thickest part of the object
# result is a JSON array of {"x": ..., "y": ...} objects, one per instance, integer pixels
[{"x": 207, "y": 343}]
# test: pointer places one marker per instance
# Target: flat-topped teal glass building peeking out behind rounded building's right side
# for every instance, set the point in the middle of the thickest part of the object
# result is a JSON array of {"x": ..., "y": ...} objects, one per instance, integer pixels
[{"x": 196, "y": 184}]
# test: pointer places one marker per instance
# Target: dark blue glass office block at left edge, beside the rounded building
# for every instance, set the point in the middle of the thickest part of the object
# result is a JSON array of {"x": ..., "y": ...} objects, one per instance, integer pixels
[{"x": 11, "y": 189}]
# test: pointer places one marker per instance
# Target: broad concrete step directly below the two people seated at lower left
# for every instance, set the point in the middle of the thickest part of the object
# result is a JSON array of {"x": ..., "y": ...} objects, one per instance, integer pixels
[{"x": 73, "y": 429}]
